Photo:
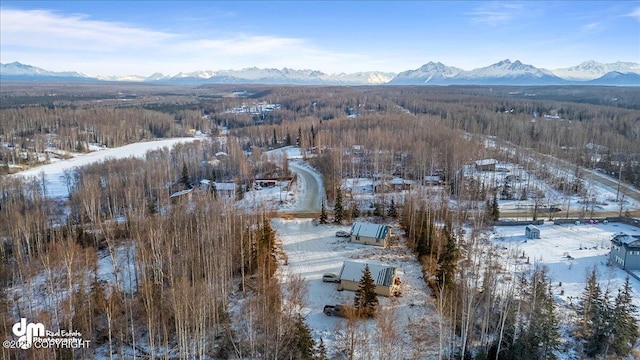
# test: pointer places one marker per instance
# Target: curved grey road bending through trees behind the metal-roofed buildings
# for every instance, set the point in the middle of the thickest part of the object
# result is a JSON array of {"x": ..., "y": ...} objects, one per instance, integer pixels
[{"x": 311, "y": 196}]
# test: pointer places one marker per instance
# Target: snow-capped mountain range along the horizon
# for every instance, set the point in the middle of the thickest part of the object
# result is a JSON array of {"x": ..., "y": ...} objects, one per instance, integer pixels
[{"x": 501, "y": 73}]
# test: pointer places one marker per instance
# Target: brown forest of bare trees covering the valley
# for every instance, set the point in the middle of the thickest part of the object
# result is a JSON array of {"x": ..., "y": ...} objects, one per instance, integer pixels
[{"x": 176, "y": 265}]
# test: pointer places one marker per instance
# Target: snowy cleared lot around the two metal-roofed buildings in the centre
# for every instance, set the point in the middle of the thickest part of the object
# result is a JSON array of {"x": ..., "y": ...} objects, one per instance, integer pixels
[{"x": 314, "y": 250}]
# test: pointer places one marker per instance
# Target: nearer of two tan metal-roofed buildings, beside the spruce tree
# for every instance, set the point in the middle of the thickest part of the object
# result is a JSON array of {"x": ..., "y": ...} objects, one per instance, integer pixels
[{"x": 384, "y": 277}]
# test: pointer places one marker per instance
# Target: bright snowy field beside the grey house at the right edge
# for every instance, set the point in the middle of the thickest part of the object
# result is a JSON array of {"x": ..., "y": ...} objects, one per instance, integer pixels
[{"x": 569, "y": 252}]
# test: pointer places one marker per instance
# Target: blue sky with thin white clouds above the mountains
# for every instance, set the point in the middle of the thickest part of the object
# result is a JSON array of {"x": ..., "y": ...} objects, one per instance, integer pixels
[{"x": 144, "y": 37}]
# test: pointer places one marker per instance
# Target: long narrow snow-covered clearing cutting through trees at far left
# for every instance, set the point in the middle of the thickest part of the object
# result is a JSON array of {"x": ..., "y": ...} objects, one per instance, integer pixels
[{"x": 54, "y": 177}]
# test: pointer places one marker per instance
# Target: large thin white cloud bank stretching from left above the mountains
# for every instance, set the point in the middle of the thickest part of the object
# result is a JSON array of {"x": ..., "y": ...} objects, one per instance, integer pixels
[{"x": 76, "y": 42}]
